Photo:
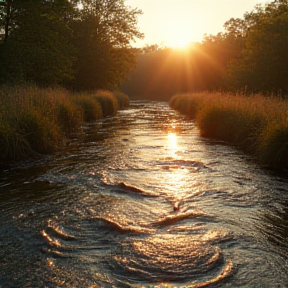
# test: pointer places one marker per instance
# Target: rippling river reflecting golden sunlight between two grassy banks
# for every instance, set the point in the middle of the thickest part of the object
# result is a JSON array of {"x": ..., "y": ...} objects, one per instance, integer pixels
[{"x": 141, "y": 200}]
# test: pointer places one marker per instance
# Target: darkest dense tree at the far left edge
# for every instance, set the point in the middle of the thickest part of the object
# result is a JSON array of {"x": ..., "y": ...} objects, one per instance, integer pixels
[{"x": 36, "y": 46}]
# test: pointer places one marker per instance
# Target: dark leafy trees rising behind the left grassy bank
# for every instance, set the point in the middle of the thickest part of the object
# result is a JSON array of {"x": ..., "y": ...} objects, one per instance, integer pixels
[{"x": 79, "y": 44}]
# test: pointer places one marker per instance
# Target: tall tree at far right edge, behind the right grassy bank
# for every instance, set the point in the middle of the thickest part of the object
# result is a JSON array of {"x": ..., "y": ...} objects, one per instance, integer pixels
[{"x": 264, "y": 63}]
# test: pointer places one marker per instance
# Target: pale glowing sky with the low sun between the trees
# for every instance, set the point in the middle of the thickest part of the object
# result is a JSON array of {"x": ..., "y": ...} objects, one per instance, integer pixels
[{"x": 176, "y": 23}]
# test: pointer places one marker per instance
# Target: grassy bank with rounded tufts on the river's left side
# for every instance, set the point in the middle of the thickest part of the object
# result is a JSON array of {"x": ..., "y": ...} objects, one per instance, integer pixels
[{"x": 34, "y": 120}]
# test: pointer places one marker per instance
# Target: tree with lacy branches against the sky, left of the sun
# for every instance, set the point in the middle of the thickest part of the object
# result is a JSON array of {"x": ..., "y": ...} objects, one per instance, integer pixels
[{"x": 102, "y": 36}]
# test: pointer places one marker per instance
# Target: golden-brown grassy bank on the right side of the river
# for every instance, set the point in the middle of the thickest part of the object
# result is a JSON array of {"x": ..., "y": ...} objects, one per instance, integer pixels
[{"x": 257, "y": 124}]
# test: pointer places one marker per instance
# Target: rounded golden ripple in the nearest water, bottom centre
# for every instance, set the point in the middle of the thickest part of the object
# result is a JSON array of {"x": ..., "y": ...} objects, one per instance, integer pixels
[{"x": 170, "y": 257}]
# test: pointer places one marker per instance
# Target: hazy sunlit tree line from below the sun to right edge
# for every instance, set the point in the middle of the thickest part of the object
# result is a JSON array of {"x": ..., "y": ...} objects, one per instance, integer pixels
[{"x": 249, "y": 56}]
